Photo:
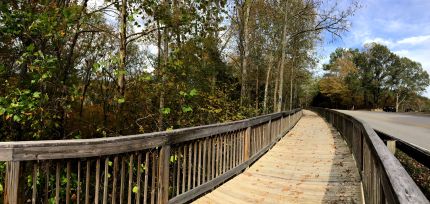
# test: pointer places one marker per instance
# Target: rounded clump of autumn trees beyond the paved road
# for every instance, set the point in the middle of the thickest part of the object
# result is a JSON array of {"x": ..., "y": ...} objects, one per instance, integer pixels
[{"x": 372, "y": 78}]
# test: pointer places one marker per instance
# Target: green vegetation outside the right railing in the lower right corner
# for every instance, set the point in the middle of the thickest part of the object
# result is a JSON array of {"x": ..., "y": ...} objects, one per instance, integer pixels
[{"x": 419, "y": 173}]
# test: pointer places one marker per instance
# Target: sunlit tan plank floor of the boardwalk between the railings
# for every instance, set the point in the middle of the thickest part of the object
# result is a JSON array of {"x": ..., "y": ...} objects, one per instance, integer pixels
[{"x": 311, "y": 164}]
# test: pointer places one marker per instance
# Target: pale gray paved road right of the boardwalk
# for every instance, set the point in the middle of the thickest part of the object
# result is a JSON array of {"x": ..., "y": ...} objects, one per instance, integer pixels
[{"x": 412, "y": 128}]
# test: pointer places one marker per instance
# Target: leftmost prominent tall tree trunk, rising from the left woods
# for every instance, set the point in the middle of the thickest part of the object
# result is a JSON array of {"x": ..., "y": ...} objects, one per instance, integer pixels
[{"x": 123, "y": 48}]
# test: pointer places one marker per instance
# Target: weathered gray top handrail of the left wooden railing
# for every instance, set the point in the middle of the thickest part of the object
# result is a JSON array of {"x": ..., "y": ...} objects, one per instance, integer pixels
[{"x": 60, "y": 149}]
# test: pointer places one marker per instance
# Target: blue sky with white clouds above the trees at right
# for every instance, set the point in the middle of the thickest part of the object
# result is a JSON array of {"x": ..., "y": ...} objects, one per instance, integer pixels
[{"x": 402, "y": 25}]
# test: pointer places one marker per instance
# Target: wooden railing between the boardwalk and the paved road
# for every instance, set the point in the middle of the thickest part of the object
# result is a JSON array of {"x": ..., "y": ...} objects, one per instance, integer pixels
[{"x": 383, "y": 177}]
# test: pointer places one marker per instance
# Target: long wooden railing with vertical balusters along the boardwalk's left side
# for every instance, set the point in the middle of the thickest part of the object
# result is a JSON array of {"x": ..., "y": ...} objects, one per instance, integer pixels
[{"x": 163, "y": 167}]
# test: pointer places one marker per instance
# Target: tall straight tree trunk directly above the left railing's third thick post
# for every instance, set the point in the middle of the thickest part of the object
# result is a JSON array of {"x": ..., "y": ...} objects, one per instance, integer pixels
[{"x": 244, "y": 58}]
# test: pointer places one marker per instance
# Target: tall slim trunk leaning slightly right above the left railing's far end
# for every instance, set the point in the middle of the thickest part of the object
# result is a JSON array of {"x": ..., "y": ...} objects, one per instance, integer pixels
[{"x": 282, "y": 64}]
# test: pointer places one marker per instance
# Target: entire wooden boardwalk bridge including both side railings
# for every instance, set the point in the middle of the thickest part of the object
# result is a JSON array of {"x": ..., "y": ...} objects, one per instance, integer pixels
[{"x": 258, "y": 160}]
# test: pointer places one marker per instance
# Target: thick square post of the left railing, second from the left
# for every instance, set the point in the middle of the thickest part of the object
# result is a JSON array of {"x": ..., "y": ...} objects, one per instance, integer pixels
[{"x": 163, "y": 173}]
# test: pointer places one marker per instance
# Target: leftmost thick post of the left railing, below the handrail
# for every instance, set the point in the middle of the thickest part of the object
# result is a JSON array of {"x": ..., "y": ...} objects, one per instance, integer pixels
[{"x": 12, "y": 182}]
